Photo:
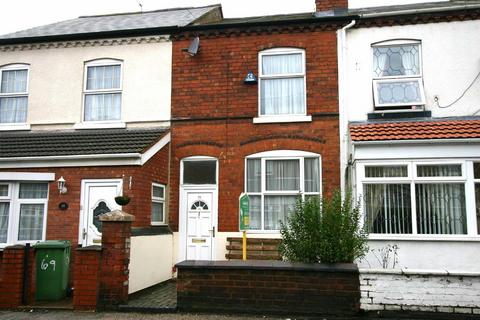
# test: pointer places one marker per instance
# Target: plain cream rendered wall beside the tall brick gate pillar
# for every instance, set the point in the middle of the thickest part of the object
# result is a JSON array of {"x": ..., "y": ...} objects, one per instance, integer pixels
[{"x": 151, "y": 260}]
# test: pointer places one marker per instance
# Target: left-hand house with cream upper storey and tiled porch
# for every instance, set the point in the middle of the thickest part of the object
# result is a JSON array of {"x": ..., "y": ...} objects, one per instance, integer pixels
[{"x": 84, "y": 117}]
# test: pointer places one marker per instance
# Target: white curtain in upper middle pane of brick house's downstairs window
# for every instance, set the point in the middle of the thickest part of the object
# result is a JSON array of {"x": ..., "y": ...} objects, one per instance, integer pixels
[{"x": 283, "y": 175}]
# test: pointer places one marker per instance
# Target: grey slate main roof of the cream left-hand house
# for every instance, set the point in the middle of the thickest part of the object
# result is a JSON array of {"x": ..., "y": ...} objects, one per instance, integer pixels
[{"x": 116, "y": 22}]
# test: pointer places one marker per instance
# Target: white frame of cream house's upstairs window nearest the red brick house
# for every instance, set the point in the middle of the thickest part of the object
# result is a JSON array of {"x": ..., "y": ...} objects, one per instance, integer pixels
[{"x": 84, "y": 124}]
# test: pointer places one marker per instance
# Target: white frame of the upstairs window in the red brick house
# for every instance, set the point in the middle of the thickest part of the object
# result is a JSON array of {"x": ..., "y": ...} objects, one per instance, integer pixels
[{"x": 300, "y": 117}]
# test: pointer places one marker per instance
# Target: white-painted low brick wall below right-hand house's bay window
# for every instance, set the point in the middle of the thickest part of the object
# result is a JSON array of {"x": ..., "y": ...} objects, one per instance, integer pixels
[{"x": 427, "y": 291}]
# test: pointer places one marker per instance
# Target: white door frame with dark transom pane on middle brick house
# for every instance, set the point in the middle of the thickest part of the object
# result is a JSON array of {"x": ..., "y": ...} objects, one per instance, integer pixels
[{"x": 182, "y": 206}]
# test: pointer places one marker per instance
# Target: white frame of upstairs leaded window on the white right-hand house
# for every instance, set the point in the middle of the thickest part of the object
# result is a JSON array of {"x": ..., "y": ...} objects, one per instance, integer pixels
[{"x": 405, "y": 78}]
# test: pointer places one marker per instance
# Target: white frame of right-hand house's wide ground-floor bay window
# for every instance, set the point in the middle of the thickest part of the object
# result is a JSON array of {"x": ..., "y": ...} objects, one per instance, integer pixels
[{"x": 466, "y": 178}]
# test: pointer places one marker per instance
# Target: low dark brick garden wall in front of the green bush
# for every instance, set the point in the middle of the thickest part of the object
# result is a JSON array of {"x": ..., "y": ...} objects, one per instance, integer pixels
[{"x": 263, "y": 286}]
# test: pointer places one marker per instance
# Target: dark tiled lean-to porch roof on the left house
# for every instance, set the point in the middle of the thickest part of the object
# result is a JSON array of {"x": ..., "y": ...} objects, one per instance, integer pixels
[{"x": 81, "y": 142}]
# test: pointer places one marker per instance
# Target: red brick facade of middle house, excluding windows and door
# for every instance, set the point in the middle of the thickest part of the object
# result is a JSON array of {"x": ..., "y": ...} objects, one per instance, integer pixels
[{"x": 213, "y": 110}]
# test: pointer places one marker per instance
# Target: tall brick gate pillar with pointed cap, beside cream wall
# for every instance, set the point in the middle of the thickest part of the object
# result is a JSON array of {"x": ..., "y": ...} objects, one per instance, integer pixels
[{"x": 116, "y": 232}]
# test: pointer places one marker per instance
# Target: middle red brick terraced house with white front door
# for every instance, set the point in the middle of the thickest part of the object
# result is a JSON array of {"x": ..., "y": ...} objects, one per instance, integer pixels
[{"x": 254, "y": 112}]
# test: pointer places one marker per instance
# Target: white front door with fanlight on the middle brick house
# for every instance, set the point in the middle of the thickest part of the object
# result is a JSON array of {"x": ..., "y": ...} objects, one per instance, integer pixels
[{"x": 200, "y": 227}]
